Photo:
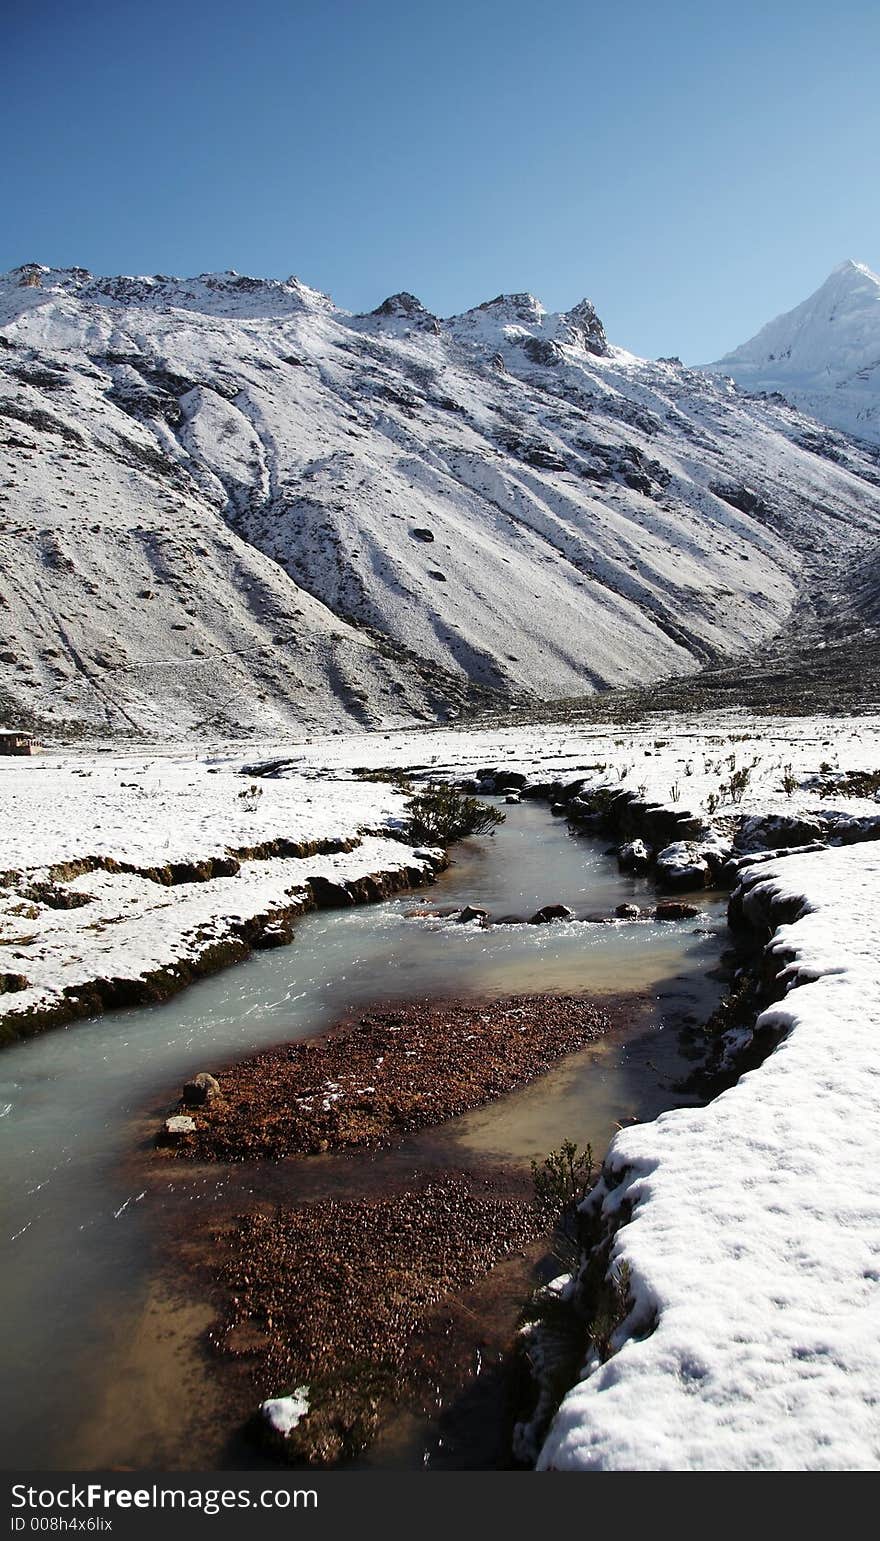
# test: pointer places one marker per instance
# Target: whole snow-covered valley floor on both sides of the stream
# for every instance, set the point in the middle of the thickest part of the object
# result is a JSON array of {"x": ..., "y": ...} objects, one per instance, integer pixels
[{"x": 750, "y": 1229}]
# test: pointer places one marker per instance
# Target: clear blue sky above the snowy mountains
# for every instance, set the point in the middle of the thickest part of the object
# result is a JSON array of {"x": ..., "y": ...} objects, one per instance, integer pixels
[{"x": 693, "y": 167}]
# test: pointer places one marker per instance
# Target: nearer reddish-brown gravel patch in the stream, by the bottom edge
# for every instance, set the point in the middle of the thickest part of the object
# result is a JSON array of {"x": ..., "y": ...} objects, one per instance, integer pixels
[{"x": 331, "y": 1295}]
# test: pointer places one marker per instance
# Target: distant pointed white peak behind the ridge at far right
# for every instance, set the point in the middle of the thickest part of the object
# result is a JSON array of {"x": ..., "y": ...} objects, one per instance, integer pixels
[{"x": 824, "y": 355}]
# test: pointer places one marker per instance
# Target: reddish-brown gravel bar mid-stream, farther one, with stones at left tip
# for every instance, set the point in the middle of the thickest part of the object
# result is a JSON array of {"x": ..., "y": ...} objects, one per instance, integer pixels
[{"x": 392, "y": 1070}]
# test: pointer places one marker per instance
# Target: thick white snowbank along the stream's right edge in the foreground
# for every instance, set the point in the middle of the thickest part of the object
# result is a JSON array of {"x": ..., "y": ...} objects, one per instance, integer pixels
[{"x": 751, "y": 1229}]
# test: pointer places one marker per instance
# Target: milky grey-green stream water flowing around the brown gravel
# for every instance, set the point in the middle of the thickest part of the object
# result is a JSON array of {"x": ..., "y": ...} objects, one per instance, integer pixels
[{"x": 102, "y": 1363}]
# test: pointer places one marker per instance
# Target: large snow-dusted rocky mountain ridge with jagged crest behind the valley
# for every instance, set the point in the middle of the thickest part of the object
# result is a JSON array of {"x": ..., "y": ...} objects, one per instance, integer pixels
[{"x": 235, "y": 508}]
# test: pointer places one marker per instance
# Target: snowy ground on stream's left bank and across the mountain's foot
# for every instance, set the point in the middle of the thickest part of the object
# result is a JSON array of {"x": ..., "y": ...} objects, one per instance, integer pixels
[{"x": 155, "y": 810}]
